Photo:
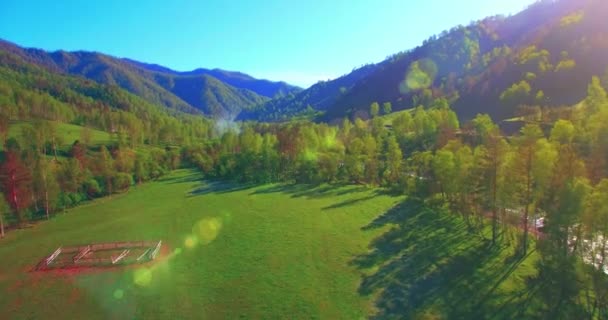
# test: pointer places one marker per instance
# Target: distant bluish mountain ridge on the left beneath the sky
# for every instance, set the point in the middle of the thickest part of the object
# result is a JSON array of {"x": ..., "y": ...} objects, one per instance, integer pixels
[{"x": 212, "y": 92}]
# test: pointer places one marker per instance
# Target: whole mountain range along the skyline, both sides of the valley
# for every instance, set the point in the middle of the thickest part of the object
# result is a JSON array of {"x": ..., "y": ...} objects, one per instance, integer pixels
[{"x": 543, "y": 57}]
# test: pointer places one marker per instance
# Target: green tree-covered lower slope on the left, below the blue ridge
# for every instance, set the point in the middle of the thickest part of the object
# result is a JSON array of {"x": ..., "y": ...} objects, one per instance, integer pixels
[{"x": 30, "y": 92}]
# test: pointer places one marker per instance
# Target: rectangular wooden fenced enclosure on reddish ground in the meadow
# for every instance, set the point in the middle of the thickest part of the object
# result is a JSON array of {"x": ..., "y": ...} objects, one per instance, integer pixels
[{"x": 101, "y": 255}]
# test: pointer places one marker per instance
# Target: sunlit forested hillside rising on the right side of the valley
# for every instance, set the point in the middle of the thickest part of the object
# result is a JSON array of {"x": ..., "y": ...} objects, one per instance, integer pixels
[{"x": 540, "y": 57}]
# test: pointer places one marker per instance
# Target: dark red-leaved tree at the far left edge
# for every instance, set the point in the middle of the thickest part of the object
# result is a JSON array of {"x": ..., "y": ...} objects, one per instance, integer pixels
[{"x": 17, "y": 181}]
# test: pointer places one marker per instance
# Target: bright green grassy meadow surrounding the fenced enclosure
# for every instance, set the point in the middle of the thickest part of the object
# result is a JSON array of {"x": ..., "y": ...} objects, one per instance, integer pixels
[{"x": 273, "y": 251}]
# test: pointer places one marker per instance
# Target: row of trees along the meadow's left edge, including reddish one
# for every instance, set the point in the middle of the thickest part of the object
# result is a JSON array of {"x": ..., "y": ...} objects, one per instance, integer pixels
[{"x": 41, "y": 176}]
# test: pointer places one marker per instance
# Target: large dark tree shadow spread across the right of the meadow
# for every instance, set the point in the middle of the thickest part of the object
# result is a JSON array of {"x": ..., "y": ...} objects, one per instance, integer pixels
[{"x": 428, "y": 265}]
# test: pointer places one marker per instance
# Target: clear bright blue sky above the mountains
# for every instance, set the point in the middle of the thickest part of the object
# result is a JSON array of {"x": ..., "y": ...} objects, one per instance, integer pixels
[{"x": 298, "y": 41}]
